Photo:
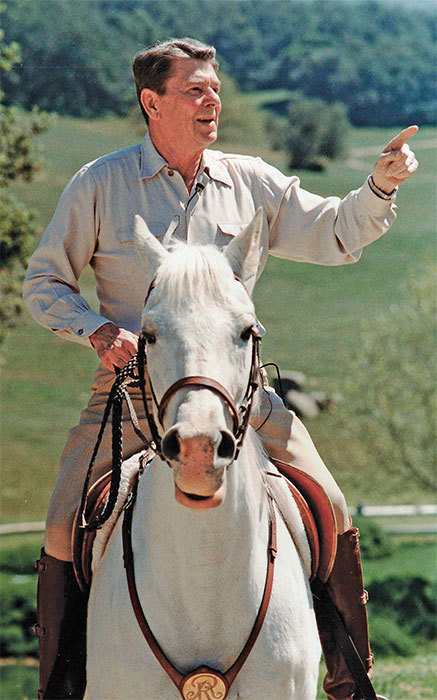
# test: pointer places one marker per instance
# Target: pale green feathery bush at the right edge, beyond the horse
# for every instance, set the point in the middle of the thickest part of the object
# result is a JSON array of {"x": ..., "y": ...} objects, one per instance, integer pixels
[{"x": 390, "y": 407}]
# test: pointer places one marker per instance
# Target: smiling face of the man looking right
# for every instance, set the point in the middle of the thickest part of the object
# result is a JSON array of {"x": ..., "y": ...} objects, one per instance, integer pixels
[{"x": 187, "y": 114}]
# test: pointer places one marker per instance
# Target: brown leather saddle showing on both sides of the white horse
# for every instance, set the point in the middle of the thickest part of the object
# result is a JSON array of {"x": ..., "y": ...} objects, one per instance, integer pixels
[{"x": 313, "y": 503}]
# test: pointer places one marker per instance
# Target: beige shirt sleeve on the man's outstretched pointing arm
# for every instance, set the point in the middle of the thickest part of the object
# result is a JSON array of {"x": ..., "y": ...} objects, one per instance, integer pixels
[{"x": 323, "y": 230}]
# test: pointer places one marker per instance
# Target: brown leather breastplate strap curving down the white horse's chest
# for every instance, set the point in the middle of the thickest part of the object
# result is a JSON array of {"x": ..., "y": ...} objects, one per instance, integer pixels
[{"x": 176, "y": 676}]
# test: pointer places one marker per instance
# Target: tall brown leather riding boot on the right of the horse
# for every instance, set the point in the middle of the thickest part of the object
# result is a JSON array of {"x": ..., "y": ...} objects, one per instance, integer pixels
[{"x": 345, "y": 589}]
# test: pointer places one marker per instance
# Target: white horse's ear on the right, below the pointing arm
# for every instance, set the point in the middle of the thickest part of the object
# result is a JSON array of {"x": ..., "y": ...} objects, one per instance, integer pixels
[{"x": 244, "y": 252}]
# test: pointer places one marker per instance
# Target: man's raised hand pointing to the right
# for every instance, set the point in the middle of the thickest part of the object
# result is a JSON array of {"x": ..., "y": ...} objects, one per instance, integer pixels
[{"x": 396, "y": 163}]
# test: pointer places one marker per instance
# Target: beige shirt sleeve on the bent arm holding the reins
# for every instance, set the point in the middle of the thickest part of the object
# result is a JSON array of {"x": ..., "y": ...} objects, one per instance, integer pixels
[{"x": 51, "y": 291}]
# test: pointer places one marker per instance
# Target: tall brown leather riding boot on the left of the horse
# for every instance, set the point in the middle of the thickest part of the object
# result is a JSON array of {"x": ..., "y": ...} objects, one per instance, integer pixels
[{"x": 61, "y": 628}]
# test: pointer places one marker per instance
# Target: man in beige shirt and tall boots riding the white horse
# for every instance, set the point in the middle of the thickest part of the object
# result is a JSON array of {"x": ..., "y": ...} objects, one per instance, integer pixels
[{"x": 182, "y": 188}]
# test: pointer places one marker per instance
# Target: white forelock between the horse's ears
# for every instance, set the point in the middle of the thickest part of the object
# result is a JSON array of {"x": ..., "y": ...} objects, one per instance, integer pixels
[{"x": 191, "y": 271}]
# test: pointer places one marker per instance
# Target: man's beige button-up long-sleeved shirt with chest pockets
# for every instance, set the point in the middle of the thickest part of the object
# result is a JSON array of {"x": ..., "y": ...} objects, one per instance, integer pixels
[{"x": 94, "y": 224}]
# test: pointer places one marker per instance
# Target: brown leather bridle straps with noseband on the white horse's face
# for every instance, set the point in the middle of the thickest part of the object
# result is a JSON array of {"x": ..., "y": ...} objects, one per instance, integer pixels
[{"x": 240, "y": 416}]
